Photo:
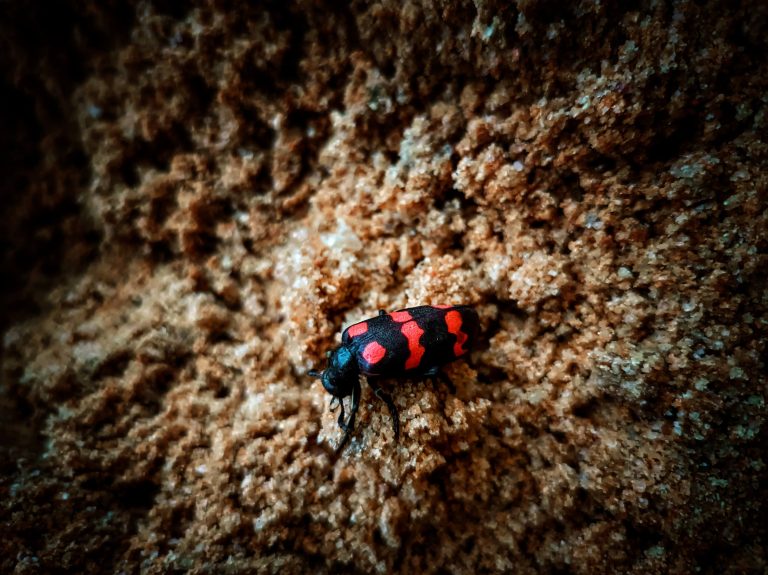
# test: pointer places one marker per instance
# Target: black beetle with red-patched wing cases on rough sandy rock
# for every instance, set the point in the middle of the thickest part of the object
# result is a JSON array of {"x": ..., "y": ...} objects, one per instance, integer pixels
[{"x": 413, "y": 342}]
